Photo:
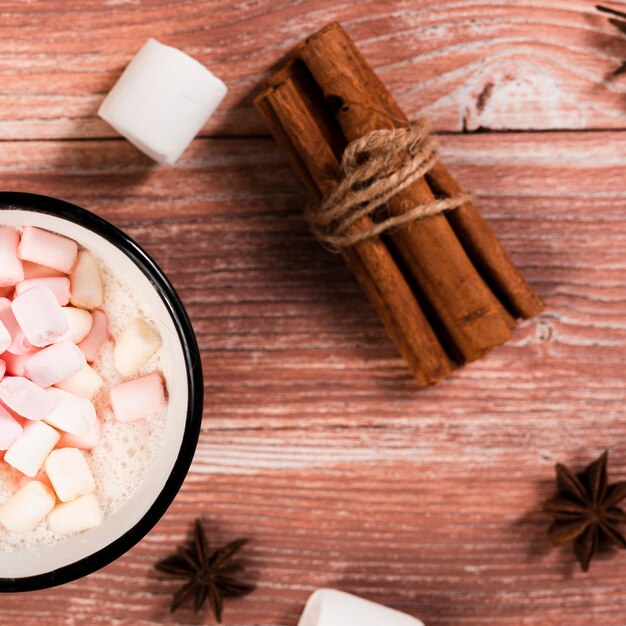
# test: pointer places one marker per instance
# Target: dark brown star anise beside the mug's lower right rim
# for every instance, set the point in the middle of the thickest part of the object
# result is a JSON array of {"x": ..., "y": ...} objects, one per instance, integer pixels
[{"x": 210, "y": 574}]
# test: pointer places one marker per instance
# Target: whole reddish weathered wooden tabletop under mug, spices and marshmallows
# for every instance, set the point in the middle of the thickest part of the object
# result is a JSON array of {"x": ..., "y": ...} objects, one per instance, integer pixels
[{"x": 315, "y": 442}]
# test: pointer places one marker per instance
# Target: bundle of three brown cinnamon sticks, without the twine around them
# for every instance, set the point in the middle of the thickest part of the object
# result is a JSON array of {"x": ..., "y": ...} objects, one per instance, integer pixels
[{"x": 444, "y": 287}]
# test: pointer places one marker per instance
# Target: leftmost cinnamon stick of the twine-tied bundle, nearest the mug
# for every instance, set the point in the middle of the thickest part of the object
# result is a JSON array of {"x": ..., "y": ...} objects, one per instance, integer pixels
[{"x": 288, "y": 115}]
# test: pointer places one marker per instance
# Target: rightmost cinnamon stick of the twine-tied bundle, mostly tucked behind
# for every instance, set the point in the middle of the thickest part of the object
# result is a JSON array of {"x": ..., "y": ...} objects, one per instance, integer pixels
[{"x": 477, "y": 237}]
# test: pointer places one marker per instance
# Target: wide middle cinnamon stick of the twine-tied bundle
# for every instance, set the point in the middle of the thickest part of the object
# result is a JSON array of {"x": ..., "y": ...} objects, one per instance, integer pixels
[{"x": 434, "y": 257}]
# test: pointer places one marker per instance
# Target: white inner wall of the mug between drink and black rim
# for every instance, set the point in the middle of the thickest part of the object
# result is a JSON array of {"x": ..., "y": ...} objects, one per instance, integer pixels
[{"x": 22, "y": 564}]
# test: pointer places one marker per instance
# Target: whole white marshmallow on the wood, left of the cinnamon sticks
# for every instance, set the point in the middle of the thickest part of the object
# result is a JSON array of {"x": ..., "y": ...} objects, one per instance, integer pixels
[{"x": 162, "y": 100}]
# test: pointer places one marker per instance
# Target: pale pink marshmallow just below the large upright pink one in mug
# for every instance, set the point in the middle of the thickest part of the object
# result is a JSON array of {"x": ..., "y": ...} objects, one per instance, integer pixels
[{"x": 54, "y": 364}]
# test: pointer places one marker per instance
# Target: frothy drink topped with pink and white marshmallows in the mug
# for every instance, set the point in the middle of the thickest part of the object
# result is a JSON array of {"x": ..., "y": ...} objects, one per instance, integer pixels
[{"x": 83, "y": 391}]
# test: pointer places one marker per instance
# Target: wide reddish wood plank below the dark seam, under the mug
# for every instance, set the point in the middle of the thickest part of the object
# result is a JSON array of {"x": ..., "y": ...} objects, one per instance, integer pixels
[{"x": 315, "y": 442}]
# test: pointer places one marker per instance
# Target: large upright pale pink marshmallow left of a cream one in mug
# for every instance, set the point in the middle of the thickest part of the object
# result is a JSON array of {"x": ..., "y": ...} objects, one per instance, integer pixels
[{"x": 40, "y": 316}]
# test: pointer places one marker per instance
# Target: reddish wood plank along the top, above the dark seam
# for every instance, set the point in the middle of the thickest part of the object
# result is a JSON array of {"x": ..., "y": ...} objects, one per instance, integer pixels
[{"x": 466, "y": 64}]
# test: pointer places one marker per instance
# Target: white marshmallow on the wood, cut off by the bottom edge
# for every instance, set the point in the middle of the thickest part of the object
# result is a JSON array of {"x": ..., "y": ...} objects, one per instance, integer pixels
[{"x": 329, "y": 607}]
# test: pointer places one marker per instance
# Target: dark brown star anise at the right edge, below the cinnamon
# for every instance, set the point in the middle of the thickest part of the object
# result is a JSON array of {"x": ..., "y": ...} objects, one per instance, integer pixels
[{"x": 585, "y": 510}]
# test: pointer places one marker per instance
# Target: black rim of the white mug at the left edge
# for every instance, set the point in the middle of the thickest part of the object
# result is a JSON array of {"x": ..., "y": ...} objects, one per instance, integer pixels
[{"x": 93, "y": 562}]
